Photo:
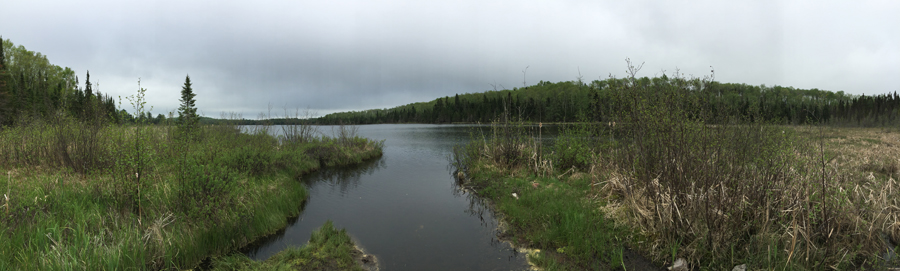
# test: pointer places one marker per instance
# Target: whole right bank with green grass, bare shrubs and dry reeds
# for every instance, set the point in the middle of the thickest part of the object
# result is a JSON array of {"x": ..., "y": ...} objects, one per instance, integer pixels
[{"x": 674, "y": 179}]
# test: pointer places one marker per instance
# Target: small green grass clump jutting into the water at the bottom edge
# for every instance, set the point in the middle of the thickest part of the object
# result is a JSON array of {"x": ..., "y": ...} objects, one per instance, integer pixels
[{"x": 328, "y": 249}]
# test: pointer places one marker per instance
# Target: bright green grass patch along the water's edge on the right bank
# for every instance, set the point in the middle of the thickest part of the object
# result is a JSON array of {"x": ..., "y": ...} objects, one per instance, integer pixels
[{"x": 554, "y": 216}]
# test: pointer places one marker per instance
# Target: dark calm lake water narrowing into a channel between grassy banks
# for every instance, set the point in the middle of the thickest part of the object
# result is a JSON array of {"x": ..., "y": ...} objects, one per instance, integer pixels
[{"x": 404, "y": 207}]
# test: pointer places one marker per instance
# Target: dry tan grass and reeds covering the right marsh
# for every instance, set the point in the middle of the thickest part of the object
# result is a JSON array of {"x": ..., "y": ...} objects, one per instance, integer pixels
[{"x": 847, "y": 227}]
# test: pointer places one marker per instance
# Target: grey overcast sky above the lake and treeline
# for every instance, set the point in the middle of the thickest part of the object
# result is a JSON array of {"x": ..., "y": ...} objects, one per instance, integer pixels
[{"x": 244, "y": 56}]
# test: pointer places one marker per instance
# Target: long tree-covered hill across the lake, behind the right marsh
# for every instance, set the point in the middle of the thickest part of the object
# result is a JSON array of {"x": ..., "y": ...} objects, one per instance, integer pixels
[{"x": 572, "y": 101}]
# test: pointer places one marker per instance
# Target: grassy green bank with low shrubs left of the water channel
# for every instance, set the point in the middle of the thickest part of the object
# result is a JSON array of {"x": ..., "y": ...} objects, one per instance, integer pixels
[{"x": 96, "y": 196}]
